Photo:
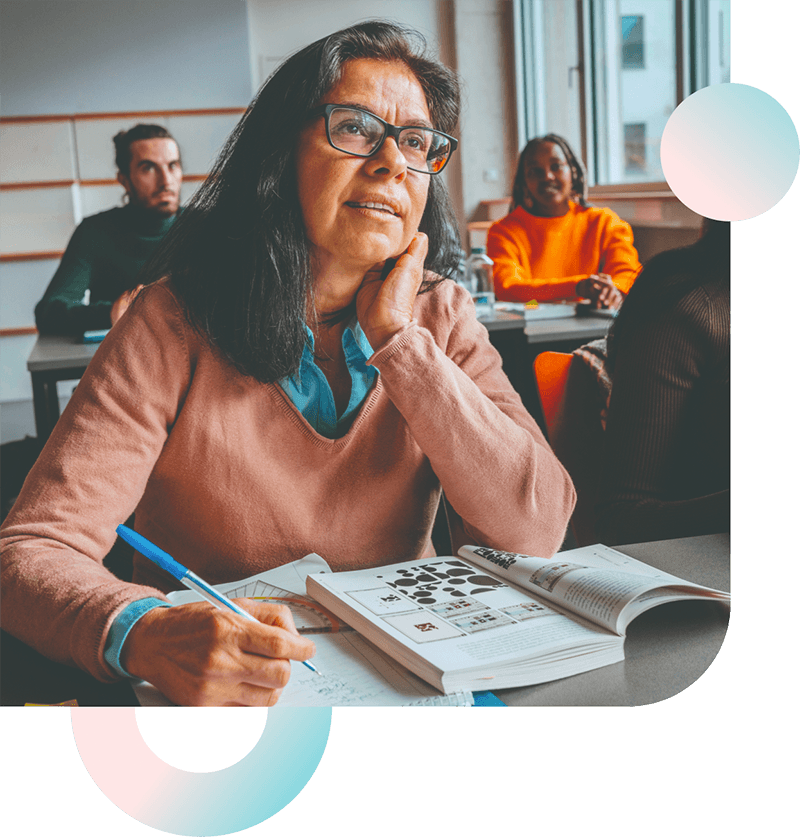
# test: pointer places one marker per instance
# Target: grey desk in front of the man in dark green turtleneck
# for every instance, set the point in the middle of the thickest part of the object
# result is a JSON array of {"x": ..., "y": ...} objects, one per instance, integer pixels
[{"x": 54, "y": 359}]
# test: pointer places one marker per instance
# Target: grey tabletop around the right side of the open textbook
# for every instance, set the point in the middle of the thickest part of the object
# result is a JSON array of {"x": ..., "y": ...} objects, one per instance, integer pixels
[{"x": 667, "y": 649}]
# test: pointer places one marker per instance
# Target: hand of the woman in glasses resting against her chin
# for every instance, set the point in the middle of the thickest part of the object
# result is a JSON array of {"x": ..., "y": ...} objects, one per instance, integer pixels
[{"x": 385, "y": 306}]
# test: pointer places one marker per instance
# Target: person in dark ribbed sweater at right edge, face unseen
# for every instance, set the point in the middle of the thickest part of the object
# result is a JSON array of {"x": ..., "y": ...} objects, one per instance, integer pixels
[{"x": 666, "y": 462}]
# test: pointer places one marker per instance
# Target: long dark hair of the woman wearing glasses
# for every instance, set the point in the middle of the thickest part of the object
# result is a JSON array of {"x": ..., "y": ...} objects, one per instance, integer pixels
[{"x": 238, "y": 254}]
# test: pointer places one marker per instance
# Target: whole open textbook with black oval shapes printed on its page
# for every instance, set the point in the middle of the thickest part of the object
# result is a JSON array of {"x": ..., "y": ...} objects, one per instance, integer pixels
[{"x": 492, "y": 620}]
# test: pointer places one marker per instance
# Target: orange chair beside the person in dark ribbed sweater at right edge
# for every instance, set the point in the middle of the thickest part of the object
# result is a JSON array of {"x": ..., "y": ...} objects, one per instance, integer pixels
[{"x": 568, "y": 395}]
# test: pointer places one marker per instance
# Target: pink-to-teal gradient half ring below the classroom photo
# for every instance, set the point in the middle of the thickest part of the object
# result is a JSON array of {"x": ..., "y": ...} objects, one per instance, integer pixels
[{"x": 238, "y": 797}]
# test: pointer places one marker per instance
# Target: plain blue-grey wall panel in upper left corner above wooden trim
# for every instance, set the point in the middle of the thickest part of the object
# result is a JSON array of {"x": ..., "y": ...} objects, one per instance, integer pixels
[{"x": 84, "y": 56}]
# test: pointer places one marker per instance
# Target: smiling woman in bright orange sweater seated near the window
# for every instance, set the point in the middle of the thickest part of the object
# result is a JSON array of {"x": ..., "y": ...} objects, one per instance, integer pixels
[{"x": 553, "y": 245}]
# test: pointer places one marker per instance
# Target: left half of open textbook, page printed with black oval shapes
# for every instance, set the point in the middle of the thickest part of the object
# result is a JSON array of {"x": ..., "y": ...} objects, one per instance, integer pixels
[{"x": 455, "y": 625}]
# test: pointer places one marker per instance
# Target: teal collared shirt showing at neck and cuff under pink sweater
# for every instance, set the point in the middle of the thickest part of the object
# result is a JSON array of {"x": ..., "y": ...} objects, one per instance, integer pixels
[{"x": 311, "y": 393}]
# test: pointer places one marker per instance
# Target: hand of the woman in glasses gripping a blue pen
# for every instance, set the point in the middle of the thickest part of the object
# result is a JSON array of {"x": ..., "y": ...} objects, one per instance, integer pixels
[{"x": 200, "y": 655}]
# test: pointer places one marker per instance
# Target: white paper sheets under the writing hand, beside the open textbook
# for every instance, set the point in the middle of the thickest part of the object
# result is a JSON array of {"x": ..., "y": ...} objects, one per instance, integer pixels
[{"x": 354, "y": 673}]
